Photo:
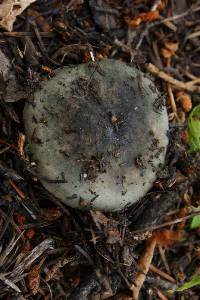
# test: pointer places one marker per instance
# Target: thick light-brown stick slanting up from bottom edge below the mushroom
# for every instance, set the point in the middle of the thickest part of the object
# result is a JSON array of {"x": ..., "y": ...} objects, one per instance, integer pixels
[{"x": 144, "y": 264}]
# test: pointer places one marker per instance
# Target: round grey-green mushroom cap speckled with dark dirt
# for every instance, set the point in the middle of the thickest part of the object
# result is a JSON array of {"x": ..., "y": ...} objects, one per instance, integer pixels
[{"x": 96, "y": 136}]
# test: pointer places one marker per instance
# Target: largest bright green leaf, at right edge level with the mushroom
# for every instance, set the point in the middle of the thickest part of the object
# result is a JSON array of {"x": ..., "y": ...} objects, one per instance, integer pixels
[{"x": 194, "y": 129}]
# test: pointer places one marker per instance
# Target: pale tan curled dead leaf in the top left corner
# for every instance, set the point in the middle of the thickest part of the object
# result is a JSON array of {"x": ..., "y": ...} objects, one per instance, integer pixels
[{"x": 10, "y": 9}]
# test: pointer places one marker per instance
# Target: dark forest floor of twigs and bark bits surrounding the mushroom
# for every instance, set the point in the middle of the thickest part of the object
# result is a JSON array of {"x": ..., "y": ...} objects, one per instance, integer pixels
[{"x": 51, "y": 251}]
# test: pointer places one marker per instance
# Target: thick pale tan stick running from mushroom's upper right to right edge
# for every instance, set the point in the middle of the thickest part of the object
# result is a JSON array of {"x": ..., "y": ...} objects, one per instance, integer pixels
[{"x": 188, "y": 86}]
